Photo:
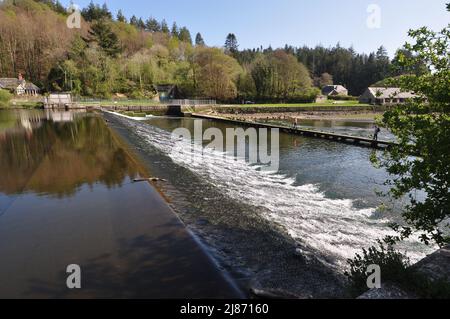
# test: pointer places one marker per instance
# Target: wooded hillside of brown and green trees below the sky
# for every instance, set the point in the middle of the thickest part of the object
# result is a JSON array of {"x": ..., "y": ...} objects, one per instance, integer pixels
[{"x": 112, "y": 55}]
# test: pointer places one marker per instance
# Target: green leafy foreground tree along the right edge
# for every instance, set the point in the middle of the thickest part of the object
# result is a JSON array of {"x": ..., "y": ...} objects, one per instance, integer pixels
[{"x": 419, "y": 164}]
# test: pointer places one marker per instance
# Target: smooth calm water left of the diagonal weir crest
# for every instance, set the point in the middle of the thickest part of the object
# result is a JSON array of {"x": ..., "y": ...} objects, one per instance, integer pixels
[{"x": 67, "y": 197}]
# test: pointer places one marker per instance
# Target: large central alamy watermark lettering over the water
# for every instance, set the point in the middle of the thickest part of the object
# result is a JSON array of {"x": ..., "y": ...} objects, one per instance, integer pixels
[{"x": 250, "y": 144}]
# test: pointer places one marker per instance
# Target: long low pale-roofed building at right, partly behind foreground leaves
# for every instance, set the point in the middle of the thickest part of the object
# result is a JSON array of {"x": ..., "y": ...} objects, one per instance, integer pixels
[{"x": 385, "y": 96}]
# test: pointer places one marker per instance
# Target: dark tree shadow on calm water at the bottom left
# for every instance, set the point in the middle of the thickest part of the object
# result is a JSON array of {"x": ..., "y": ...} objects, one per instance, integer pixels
[{"x": 139, "y": 269}]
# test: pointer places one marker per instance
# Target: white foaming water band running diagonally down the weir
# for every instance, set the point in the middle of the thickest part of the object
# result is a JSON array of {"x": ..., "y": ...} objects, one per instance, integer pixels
[{"x": 332, "y": 227}]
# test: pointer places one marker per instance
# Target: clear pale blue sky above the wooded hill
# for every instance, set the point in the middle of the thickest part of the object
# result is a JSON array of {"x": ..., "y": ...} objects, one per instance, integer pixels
[{"x": 294, "y": 22}]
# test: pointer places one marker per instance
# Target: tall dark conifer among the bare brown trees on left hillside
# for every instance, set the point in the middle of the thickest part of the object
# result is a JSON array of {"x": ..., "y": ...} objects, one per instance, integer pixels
[{"x": 102, "y": 34}]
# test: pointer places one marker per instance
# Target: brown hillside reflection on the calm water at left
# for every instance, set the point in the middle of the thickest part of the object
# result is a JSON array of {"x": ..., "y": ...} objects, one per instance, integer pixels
[{"x": 55, "y": 153}]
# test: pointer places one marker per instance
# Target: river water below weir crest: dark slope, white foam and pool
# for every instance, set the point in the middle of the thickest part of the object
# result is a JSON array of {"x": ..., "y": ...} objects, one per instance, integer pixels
[{"x": 322, "y": 200}]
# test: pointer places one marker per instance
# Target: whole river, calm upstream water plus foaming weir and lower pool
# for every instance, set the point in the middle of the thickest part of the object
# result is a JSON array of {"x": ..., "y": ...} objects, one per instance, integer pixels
[{"x": 289, "y": 230}]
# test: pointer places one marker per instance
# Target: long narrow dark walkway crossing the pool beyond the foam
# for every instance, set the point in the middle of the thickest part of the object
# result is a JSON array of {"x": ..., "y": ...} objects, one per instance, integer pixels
[{"x": 359, "y": 141}]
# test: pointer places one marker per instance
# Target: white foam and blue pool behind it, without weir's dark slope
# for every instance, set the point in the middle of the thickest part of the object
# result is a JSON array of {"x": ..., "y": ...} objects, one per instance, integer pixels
[{"x": 323, "y": 195}]
